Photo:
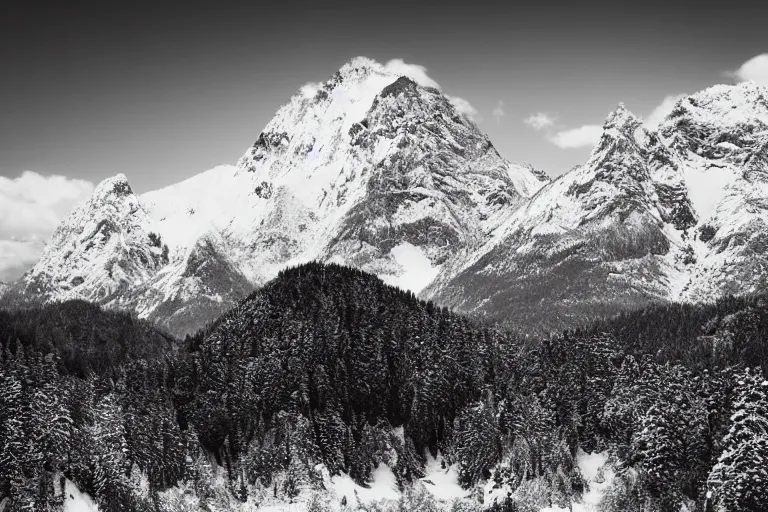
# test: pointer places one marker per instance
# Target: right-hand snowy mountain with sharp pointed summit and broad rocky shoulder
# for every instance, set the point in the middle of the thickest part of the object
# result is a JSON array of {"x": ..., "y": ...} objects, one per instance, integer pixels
[{"x": 677, "y": 214}]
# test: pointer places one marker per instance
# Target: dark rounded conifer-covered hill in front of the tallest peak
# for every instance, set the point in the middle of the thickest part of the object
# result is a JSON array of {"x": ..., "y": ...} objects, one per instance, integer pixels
[{"x": 343, "y": 349}]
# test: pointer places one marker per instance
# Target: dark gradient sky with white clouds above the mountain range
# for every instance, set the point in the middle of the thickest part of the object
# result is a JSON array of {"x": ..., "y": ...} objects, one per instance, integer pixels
[{"x": 163, "y": 91}]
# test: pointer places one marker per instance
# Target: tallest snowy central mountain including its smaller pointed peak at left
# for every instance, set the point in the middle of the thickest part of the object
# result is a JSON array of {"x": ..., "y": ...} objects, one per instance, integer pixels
[{"x": 369, "y": 169}]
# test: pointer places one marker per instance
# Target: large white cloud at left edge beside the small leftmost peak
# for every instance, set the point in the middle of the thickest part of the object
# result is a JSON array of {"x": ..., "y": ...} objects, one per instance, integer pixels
[{"x": 31, "y": 206}]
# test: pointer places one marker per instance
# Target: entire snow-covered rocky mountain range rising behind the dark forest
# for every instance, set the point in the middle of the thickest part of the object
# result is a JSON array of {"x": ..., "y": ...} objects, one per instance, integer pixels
[{"x": 375, "y": 171}]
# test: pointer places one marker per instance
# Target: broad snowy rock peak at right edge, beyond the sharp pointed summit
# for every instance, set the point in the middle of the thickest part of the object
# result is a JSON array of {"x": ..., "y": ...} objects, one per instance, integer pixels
[{"x": 720, "y": 137}]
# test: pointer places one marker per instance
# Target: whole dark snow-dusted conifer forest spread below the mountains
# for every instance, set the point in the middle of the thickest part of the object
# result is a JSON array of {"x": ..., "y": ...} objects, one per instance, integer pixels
[{"x": 327, "y": 371}]
